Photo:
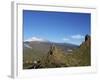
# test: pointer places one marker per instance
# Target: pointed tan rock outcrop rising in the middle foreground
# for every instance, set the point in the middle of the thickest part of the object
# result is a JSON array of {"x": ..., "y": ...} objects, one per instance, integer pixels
[{"x": 55, "y": 57}]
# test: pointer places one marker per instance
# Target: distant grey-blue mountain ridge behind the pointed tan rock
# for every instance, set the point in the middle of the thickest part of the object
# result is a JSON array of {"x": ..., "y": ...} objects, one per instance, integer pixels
[{"x": 44, "y": 46}]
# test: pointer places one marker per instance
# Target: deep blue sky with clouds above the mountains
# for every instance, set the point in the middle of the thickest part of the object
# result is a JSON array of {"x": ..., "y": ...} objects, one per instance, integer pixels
[{"x": 63, "y": 27}]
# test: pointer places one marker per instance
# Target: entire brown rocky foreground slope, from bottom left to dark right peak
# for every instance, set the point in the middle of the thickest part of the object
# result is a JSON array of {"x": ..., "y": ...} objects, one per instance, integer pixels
[{"x": 56, "y": 57}]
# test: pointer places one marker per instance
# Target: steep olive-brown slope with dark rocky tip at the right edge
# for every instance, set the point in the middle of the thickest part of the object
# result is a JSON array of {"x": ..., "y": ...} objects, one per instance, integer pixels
[{"x": 83, "y": 53}]
